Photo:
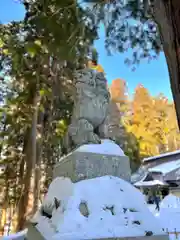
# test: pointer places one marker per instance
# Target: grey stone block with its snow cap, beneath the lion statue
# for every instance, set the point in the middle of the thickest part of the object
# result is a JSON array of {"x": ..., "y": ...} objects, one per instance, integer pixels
[{"x": 94, "y": 160}]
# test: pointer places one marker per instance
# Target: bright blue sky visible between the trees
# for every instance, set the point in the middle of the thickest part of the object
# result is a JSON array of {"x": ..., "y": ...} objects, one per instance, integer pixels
[{"x": 154, "y": 76}]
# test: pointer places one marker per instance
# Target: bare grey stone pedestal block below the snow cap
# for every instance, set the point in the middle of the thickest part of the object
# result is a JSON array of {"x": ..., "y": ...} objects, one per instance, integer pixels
[{"x": 85, "y": 165}]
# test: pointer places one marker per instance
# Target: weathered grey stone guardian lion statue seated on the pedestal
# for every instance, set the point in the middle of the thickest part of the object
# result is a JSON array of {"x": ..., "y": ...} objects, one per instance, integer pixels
[{"x": 90, "y": 109}]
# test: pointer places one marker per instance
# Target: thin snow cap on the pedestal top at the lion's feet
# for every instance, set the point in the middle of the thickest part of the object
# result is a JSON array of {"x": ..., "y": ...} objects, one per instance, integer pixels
[{"x": 106, "y": 147}]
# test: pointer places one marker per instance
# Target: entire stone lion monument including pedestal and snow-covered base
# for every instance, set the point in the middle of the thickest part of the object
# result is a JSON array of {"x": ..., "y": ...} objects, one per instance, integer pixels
[{"x": 90, "y": 196}]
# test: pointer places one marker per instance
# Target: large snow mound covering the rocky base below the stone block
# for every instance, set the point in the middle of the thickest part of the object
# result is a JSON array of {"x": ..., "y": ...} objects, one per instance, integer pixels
[{"x": 102, "y": 207}]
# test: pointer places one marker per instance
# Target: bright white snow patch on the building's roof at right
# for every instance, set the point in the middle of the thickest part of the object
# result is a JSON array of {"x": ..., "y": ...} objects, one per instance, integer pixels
[{"x": 166, "y": 167}]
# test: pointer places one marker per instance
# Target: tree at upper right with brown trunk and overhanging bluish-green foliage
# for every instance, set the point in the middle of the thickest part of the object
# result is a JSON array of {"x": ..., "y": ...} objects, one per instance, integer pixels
[{"x": 148, "y": 27}]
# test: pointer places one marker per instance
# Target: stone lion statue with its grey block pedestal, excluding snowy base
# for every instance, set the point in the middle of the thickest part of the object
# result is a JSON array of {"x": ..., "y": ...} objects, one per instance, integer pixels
[{"x": 88, "y": 131}]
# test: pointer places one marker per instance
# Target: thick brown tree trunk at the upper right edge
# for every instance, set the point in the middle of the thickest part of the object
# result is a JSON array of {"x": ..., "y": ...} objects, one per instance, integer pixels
[{"x": 167, "y": 16}]
